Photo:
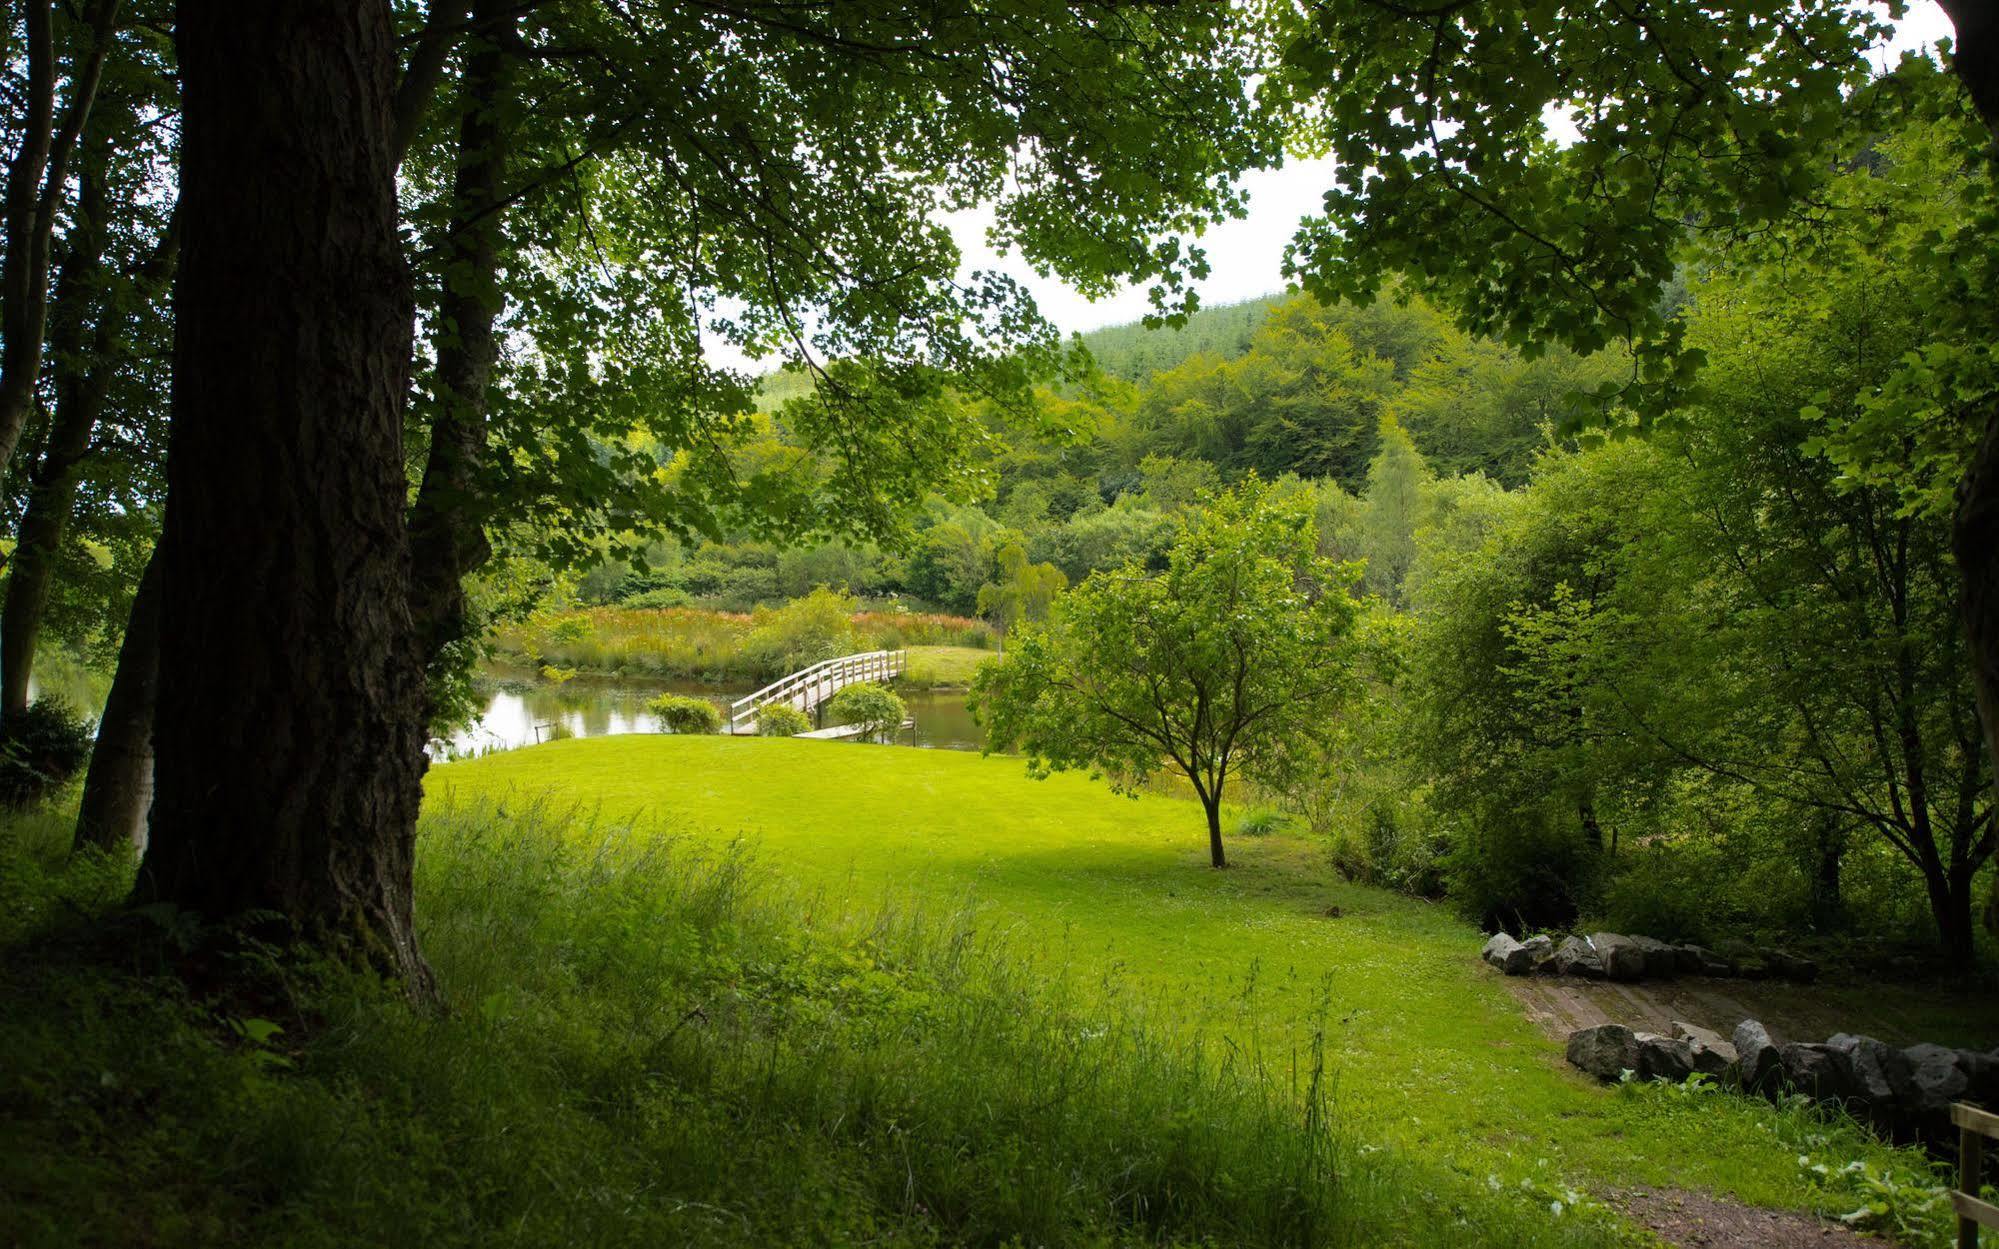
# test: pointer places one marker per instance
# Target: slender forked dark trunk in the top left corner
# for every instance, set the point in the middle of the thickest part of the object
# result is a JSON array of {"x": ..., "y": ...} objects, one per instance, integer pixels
[{"x": 35, "y": 187}]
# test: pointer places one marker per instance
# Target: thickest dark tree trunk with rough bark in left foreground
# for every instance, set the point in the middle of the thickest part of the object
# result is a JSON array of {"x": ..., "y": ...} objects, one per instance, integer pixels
[{"x": 291, "y": 694}]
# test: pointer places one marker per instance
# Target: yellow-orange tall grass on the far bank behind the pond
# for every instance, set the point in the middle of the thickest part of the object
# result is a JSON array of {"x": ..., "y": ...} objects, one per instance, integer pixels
[{"x": 719, "y": 646}]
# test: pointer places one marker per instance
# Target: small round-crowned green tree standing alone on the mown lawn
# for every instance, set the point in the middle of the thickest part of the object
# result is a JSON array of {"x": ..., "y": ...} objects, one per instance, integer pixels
[{"x": 1224, "y": 664}]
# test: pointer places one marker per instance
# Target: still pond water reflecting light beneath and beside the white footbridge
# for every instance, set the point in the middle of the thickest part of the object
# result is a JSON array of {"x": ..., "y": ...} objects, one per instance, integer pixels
[{"x": 523, "y": 710}]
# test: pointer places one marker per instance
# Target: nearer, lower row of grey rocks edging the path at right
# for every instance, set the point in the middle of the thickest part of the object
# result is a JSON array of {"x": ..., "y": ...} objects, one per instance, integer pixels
[{"x": 1906, "y": 1092}]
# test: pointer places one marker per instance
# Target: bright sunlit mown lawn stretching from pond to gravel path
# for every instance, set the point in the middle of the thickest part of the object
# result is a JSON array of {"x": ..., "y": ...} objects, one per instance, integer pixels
[{"x": 1112, "y": 896}]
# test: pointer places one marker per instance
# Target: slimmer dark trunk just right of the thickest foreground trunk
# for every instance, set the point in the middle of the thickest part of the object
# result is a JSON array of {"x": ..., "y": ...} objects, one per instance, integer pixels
[{"x": 447, "y": 525}]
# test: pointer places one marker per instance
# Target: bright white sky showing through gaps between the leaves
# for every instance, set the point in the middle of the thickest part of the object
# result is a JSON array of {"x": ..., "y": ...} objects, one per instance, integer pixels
[{"x": 1246, "y": 257}]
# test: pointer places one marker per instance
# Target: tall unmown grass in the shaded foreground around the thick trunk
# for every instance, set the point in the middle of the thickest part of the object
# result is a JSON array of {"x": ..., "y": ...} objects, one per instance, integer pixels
[{"x": 655, "y": 1044}]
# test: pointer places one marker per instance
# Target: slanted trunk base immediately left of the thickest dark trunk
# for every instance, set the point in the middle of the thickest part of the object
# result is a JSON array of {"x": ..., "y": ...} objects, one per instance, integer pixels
[{"x": 119, "y": 784}]
